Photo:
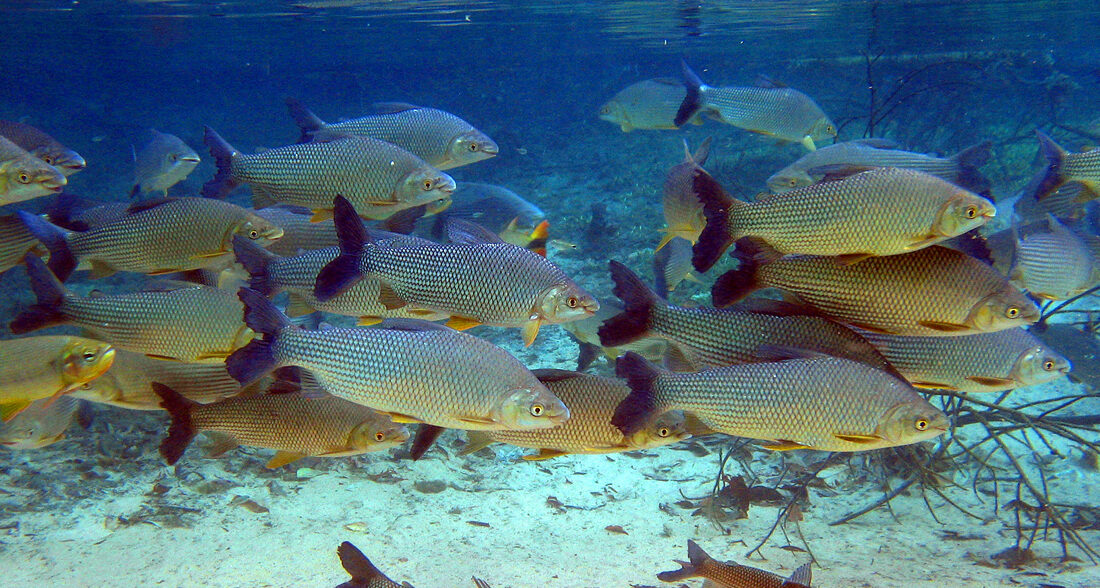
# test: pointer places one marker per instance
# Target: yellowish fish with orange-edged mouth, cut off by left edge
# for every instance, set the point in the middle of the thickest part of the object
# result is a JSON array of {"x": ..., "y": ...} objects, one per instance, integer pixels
[{"x": 48, "y": 368}]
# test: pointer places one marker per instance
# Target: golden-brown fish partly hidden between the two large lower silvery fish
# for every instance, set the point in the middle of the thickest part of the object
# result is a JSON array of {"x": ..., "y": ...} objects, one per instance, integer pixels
[{"x": 591, "y": 401}]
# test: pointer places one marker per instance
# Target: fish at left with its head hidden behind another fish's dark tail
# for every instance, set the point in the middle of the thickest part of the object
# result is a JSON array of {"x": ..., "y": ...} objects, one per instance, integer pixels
[{"x": 185, "y": 323}]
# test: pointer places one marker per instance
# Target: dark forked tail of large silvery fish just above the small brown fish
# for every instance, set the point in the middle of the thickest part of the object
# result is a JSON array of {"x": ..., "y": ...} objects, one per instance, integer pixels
[{"x": 254, "y": 361}]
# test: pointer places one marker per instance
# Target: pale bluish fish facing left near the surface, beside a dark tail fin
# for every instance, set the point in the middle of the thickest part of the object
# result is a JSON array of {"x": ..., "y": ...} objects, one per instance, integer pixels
[{"x": 647, "y": 105}]
